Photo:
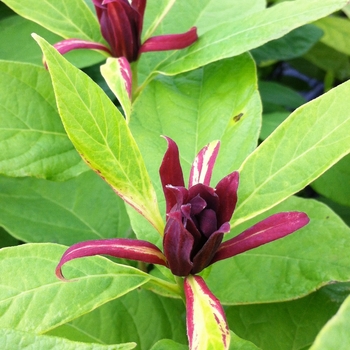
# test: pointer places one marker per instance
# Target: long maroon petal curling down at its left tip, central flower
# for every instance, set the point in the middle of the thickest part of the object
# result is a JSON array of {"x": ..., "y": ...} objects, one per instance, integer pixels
[{"x": 118, "y": 247}]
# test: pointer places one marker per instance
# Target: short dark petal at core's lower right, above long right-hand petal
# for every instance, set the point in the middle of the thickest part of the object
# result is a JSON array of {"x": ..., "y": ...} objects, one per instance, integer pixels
[{"x": 204, "y": 257}]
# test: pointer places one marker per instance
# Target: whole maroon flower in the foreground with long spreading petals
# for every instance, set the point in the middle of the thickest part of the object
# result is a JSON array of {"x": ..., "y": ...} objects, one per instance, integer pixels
[{"x": 197, "y": 219}]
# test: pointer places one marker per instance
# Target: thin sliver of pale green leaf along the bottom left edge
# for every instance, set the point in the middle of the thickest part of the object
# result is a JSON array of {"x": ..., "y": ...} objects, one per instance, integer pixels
[{"x": 14, "y": 339}]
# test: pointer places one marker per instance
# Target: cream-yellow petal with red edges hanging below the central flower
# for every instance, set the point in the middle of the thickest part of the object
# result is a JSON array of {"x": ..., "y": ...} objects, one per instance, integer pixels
[{"x": 205, "y": 318}]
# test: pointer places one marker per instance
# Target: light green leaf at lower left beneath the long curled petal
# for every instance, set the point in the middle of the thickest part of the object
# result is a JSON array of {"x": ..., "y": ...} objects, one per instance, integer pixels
[{"x": 33, "y": 299}]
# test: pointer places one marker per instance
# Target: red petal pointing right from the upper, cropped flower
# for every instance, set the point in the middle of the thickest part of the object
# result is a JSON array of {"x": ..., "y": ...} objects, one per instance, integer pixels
[{"x": 170, "y": 42}]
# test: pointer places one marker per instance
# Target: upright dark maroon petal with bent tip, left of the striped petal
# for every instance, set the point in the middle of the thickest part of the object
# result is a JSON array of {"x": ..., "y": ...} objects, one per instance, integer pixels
[{"x": 170, "y": 172}]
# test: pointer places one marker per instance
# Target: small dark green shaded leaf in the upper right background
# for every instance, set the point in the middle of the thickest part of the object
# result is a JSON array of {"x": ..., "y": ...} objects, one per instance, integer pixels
[{"x": 292, "y": 45}]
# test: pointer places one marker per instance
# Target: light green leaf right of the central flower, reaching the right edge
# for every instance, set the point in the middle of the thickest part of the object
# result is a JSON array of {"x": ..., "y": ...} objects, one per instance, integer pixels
[{"x": 310, "y": 141}]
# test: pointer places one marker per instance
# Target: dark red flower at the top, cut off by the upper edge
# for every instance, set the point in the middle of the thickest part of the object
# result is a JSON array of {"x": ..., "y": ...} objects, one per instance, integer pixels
[{"x": 121, "y": 25}]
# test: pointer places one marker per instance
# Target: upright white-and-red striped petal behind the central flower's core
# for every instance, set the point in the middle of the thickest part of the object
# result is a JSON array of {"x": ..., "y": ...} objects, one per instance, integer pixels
[{"x": 203, "y": 164}]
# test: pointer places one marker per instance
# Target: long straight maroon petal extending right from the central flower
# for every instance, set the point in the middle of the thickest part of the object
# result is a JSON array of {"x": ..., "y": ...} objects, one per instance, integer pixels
[{"x": 272, "y": 228}]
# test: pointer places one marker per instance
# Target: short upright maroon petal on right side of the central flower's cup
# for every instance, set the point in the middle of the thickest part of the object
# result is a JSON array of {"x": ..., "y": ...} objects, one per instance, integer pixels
[{"x": 226, "y": 190}]
